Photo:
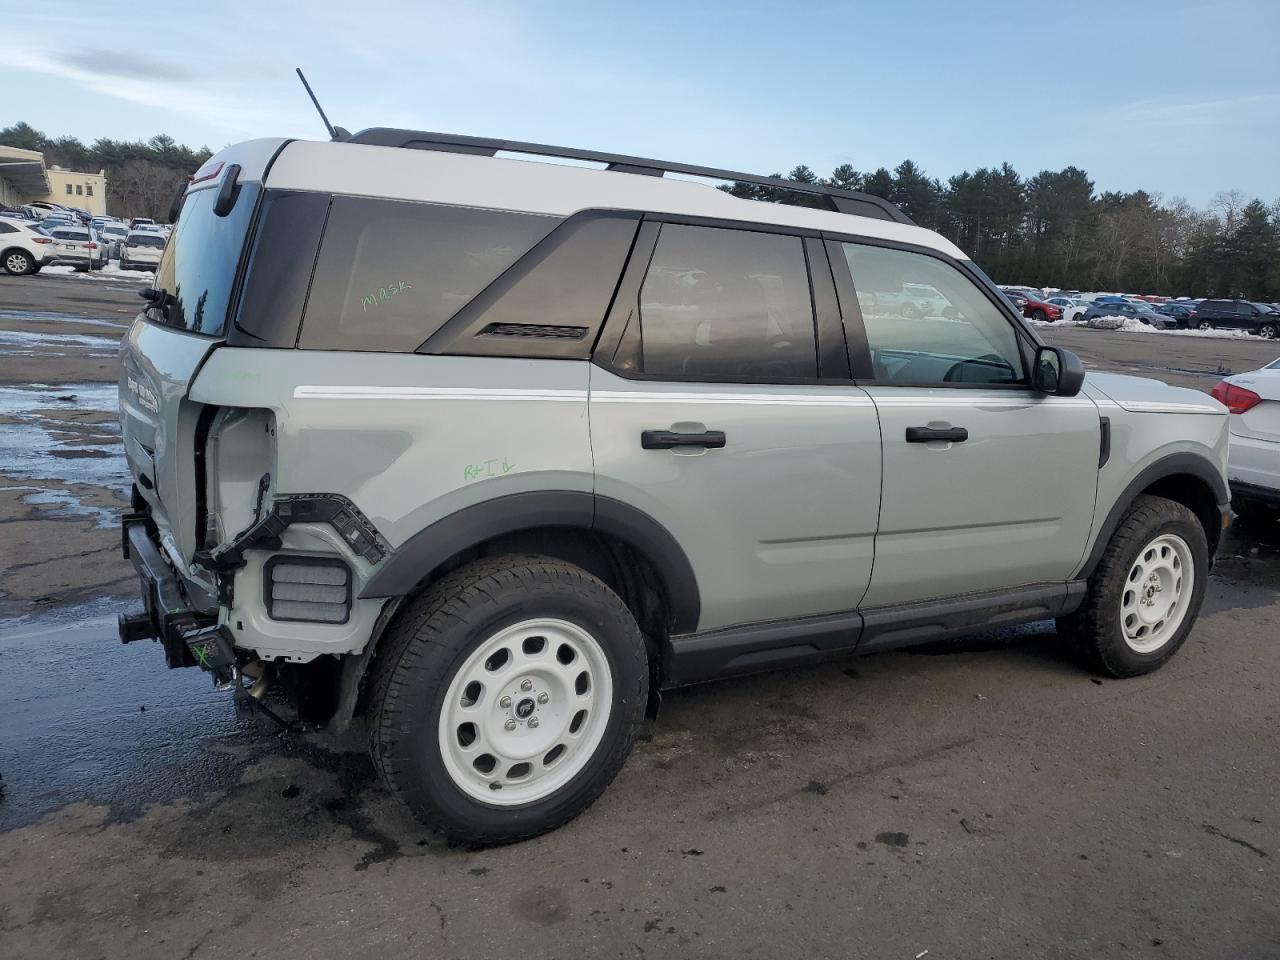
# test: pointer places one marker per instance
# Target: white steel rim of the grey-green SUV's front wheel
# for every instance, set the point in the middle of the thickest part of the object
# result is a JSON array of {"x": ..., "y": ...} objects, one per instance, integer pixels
[{"x": 1158, "y": 593}]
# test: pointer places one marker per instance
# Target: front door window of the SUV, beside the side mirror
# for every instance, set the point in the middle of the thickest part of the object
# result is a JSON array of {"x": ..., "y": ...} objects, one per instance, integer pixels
[{"x": 963, "y": 339}]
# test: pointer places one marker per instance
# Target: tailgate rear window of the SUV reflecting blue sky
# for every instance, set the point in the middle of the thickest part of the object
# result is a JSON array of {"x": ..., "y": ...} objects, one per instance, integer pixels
[{"x": 199, "y": 267}]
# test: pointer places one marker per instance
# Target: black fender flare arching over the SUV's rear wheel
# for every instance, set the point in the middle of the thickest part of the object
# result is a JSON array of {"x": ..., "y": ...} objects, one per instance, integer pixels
[{"x": 424, "y": 552}]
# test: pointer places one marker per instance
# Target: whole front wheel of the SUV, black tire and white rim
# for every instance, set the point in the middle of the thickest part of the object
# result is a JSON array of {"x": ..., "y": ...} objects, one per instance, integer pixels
[{"x": 1146, "y": 592}]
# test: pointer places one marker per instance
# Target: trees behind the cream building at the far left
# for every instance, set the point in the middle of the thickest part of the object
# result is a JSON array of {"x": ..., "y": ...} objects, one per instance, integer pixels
[{"x": 143, "y": 179}]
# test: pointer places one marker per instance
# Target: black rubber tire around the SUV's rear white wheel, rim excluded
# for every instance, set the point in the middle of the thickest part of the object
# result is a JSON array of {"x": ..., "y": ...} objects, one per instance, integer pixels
[{"x": 429, "y": 644}]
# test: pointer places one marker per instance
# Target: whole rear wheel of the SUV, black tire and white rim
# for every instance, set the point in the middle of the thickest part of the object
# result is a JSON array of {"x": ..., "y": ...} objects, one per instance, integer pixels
[{"x": 506, "y": 698}]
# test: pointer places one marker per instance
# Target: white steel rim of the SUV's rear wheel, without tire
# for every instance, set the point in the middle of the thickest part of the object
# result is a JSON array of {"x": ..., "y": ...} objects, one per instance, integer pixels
[{"x": 525, "y": 712}]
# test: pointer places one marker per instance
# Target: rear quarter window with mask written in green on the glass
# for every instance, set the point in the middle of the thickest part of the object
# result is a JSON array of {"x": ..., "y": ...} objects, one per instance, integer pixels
[{"x": 391, "y": 273}]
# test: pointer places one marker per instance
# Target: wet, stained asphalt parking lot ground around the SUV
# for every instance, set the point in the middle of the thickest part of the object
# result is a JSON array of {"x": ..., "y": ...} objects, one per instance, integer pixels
[{"x": 981, "y": 798}]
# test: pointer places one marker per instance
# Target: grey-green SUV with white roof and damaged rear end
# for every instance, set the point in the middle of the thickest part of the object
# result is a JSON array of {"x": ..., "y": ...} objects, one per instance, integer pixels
[{"x": 488, "y": 451}]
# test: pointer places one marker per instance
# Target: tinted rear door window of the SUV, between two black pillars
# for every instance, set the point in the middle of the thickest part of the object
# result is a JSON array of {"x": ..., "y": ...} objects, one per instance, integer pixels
[{"x": 728, "y": 305}]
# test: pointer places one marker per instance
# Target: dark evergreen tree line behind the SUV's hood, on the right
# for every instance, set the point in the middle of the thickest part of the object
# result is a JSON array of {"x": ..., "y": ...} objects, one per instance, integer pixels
[{"x": 1055, "y": 230}]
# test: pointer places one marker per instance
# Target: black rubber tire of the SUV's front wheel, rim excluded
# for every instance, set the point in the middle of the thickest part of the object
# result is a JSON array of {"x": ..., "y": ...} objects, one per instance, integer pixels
[{"x": 1096, "y": 629}]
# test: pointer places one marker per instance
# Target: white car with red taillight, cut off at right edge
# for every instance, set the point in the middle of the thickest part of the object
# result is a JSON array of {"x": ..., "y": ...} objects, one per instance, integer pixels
[{"x": 1254, "y": 465}]
